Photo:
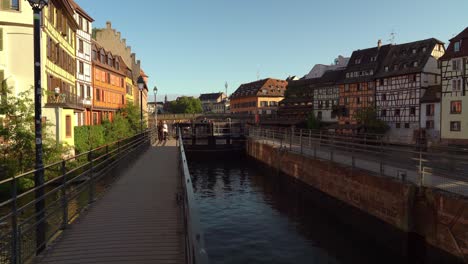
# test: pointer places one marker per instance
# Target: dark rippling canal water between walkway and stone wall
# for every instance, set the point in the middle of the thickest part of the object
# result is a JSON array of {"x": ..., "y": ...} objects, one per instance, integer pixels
[{"x": 250, "y": 215}]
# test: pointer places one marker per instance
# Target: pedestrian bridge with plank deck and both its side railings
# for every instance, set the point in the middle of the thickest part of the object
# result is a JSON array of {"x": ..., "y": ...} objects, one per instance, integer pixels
[{"x": 148, "y": 216}]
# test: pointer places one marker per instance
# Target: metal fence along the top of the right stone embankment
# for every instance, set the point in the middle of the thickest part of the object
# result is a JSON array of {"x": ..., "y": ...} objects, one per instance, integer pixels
[{"x": 442, "y": 168}]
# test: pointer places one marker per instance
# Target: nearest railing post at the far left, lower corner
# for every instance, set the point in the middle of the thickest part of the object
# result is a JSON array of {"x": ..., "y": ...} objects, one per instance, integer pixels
[{"x": 15, "y": 243}]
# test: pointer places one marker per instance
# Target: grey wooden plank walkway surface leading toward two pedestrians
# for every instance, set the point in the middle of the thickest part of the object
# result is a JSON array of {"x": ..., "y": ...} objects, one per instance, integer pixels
[{"x": 137, "y": 221}]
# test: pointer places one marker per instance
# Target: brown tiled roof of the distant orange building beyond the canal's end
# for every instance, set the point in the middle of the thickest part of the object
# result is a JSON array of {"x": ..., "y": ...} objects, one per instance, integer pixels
[{"x": 254, "y": 88}]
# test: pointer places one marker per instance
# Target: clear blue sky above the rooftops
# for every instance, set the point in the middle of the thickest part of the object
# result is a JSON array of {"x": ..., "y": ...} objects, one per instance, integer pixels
[{"x": 194, "y": 46}]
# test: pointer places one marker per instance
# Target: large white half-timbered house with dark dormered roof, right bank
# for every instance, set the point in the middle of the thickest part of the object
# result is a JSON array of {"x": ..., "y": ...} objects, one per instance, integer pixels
[{"x": 406, "y": 72}]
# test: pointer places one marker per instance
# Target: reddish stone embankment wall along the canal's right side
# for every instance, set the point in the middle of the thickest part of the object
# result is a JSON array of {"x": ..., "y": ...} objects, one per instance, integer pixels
[{"x": 440, "y": 218}]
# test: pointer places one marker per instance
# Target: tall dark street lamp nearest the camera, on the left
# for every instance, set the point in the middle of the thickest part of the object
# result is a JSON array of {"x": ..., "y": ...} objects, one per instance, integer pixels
[{"x": 37, "y": 6}]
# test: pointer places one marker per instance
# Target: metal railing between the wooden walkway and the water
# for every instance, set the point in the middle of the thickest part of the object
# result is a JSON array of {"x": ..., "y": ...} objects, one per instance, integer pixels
[{"x": 194, "y": 241}]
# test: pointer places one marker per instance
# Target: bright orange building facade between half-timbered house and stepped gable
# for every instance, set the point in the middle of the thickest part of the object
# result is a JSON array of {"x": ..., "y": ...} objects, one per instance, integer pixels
[{"x": 109, "y": 72}]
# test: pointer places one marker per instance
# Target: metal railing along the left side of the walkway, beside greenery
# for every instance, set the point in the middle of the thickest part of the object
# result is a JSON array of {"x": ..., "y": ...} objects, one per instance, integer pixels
[{"x": 70, "y": 186}]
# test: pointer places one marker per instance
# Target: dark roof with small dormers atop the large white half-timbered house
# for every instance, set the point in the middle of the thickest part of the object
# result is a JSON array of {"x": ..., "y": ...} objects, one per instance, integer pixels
[{"x": 407, "y": 58}]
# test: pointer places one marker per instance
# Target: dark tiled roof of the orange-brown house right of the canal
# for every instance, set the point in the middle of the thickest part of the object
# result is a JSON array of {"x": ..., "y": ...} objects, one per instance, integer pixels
[{"x": 366, "y": 61}]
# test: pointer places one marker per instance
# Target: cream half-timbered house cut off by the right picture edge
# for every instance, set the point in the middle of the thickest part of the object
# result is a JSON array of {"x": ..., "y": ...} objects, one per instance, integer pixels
[{"x": 454, "y": 69}]
